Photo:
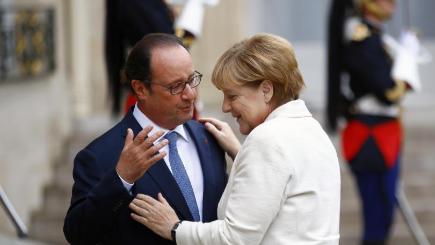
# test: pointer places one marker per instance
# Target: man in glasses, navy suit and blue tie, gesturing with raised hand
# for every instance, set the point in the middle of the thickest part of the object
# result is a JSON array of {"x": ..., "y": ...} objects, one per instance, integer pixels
[{"x": 115, "y": 167}]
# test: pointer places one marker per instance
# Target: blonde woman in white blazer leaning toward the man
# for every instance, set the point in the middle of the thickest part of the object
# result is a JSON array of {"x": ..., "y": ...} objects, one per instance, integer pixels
[{"x": 284, "y": 185}]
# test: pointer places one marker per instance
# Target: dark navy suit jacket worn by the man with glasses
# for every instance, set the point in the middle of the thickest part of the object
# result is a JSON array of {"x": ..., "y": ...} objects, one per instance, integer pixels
[{"x": 99, "y": 212}]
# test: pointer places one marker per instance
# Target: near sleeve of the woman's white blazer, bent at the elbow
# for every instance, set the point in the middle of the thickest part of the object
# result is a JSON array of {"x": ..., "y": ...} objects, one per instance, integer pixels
[{"x": 255, "y": 196}]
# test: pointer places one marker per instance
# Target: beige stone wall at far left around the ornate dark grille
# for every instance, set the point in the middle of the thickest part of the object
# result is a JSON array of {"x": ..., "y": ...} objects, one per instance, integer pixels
[{"x": 35, "y": 122}]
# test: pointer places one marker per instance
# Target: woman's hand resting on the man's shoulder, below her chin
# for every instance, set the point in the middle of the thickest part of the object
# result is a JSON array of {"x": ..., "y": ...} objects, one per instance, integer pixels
[{"x": 223, "y": 134}]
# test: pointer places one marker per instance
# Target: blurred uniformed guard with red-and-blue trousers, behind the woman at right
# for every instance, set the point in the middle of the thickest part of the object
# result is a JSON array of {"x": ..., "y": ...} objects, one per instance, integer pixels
[{"x": 365, "y": 86}]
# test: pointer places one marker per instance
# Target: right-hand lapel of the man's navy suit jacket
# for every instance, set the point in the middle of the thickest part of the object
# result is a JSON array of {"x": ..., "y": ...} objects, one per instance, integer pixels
[{"x": 199, "y": 137}]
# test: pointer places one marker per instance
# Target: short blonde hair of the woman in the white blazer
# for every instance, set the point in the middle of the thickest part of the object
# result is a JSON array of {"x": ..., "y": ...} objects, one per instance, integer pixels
[{"x": 261, "y": 57}]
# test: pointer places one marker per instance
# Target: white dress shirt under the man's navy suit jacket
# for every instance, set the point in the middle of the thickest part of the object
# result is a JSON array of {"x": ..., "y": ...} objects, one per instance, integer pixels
[{"x": 187, "y": 151}]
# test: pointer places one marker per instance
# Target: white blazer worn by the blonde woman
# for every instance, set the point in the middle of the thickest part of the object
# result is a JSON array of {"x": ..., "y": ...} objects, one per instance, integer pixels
[{"x": 284, "y": 187}]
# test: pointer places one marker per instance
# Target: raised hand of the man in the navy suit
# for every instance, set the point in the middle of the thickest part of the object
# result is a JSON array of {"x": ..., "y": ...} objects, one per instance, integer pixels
[{"x": 139, "y": 154}]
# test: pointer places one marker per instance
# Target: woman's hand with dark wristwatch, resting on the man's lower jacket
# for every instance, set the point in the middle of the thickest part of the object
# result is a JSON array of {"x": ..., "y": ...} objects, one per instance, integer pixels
[{"x": 157, "y": 215}]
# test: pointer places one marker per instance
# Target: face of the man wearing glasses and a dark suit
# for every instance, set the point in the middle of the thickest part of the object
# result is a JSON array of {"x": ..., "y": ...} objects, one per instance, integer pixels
[{"x": 169, "y": 65}]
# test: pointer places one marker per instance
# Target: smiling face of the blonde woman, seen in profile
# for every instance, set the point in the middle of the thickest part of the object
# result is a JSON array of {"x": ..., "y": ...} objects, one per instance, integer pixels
[{"x": 249, "y": 105}]
